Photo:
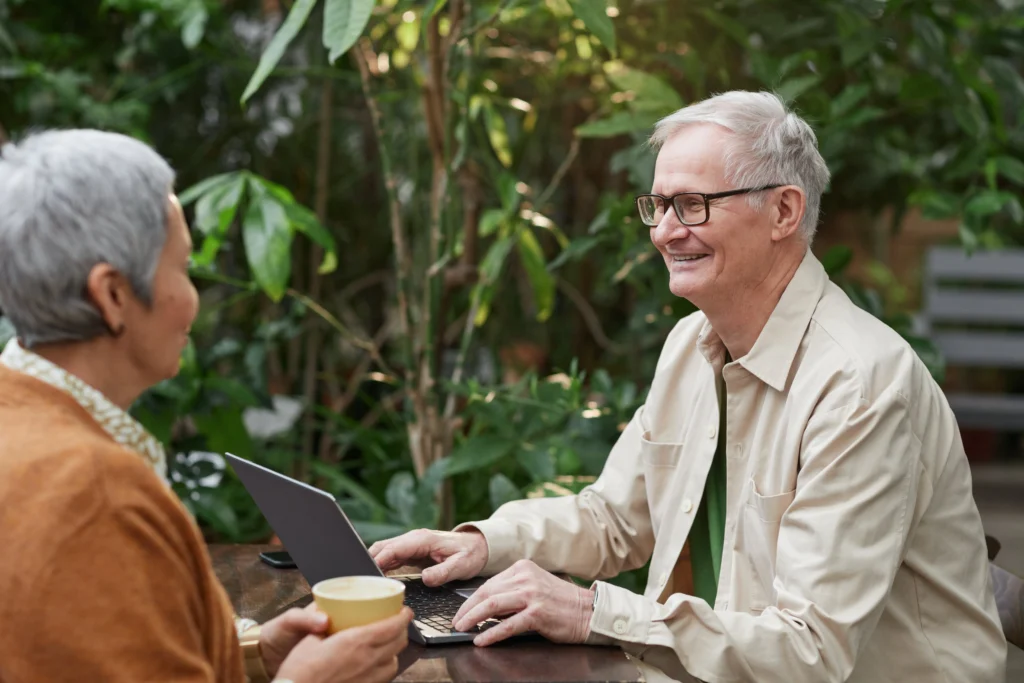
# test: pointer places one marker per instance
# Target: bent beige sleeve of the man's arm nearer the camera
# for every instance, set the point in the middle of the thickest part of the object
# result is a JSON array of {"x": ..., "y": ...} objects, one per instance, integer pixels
[{"x": 840, "y": 545}]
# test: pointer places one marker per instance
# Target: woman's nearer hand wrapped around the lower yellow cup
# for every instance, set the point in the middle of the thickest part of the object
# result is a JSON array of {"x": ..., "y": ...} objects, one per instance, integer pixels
[{"x": 364, "y": 655}]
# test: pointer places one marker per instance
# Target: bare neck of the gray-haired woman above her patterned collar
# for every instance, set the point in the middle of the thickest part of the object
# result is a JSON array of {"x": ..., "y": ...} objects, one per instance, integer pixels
[{"x": 99, "y": 364}]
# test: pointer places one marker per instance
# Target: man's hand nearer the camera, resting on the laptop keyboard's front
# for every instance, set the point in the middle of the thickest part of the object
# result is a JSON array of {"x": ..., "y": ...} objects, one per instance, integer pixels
[{"x": 537, "y": 601}]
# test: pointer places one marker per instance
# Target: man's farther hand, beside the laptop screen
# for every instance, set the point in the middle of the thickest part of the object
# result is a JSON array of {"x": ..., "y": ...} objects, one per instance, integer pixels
[{"x": 456, "y": 554}]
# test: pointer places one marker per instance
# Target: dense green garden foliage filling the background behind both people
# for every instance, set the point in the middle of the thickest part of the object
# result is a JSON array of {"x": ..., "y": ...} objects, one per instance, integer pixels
[{"x": 423, "y": 285}]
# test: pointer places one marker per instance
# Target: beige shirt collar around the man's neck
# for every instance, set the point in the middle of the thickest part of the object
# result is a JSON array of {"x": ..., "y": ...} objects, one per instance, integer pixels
[{"x": 774, "y": 353}]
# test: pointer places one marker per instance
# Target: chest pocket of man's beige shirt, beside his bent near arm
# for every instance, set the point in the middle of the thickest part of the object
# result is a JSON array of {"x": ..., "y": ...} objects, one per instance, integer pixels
[{"x": 757, "y": 545}]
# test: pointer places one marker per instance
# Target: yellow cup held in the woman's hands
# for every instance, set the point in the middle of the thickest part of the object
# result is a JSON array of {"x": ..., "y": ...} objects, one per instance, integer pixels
[{"x": 352, "y": 602}]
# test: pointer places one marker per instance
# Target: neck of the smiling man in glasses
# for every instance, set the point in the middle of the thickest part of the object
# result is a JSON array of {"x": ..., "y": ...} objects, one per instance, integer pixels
[{"x": 740, "y": 320}]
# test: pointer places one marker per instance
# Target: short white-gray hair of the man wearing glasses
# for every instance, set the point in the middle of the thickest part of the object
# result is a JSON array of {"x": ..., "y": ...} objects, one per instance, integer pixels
[{"x": 774, "y": 146}]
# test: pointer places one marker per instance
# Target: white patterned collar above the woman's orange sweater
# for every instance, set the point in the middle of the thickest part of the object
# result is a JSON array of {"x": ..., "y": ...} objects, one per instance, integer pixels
[{"x": 119, "y": 425}]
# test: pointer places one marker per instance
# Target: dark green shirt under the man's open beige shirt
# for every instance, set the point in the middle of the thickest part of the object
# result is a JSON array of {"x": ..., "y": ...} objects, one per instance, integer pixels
[{"x": 708, "y": 533}]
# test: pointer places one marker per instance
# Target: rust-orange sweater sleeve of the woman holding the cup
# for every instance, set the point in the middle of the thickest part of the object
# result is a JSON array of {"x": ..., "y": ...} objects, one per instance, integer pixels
[{"x": 120, "y": 600}]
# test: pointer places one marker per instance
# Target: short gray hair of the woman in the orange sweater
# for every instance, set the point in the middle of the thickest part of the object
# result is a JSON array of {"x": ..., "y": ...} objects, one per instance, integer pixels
[{"x": 69, "y": 201}]
